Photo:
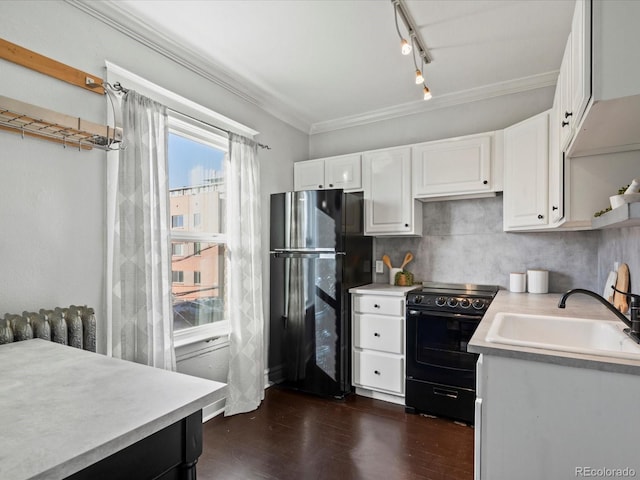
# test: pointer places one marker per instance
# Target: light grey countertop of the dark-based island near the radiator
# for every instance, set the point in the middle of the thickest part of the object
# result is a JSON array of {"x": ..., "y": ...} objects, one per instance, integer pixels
[{"x": 63, "y": 409}]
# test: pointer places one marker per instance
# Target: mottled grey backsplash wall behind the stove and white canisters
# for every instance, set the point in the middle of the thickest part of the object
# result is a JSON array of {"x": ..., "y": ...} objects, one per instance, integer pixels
[{"x": 463, "y": 242}]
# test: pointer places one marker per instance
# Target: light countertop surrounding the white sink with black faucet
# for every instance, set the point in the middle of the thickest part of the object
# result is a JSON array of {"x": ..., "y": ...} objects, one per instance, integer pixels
[{"x": 577, "y": 306}]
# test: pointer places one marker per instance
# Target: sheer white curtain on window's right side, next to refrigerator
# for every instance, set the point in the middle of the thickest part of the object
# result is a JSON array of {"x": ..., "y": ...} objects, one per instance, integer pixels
[{"x": 244, "y": 277}]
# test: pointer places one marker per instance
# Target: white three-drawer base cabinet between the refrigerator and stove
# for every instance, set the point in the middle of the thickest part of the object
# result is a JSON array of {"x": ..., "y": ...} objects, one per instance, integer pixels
[{"x": 378, "y": 336}]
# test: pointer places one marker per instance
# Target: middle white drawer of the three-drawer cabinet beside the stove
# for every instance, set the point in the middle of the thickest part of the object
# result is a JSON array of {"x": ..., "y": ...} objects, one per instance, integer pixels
[{"x": 379, "y": 332}]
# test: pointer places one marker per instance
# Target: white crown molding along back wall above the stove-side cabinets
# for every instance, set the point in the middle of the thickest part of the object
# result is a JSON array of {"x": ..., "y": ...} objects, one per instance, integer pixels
[{"x": 485, "y": 92}]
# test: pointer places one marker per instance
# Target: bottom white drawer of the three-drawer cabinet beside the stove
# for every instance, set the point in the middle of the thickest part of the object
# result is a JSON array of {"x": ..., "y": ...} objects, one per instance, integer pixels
[{"x": 380, "y": 371}]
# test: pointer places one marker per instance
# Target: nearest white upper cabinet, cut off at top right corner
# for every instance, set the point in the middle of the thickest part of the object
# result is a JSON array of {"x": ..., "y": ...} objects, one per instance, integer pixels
[{"x": 606, "y": 82}]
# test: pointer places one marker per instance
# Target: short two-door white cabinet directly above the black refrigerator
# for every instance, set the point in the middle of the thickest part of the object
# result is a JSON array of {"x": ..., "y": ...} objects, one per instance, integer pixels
[{"x": 344, "y": 172}]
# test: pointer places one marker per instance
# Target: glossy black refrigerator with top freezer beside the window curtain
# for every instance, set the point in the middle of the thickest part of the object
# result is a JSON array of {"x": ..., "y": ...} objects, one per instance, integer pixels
[{"x": 317, "y": 252}]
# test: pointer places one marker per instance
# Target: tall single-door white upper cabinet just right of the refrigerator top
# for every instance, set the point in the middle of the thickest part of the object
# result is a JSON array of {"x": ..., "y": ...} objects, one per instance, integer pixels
[{"x": 390, "y": 208}]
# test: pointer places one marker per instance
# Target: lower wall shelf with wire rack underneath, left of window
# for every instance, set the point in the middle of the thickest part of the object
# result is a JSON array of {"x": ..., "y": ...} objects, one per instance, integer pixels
[{"x": 34, "y": 121}]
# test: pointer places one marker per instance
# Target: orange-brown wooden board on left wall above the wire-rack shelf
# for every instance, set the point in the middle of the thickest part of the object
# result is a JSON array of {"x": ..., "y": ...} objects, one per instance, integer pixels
[{"x": 34, "y": 61}]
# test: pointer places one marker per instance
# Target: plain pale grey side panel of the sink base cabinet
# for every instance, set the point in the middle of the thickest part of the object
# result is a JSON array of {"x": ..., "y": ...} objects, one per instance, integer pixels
[{"x": 538, "y": 420}]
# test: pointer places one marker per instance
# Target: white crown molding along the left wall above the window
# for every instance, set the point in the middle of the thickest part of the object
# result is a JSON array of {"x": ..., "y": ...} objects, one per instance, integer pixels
[{"x": 119, "y": 19}]
